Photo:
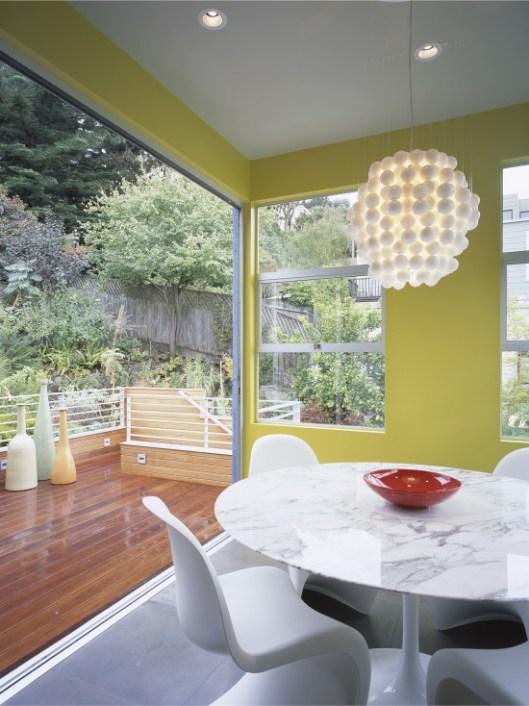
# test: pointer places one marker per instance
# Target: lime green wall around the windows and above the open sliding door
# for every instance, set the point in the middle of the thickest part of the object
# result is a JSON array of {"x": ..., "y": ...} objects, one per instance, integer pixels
[{"x": 442, "y": 344}]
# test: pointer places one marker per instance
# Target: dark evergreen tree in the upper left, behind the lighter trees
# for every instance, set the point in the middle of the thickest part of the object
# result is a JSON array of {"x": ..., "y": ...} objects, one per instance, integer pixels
[{"x": 53, "y": 155}]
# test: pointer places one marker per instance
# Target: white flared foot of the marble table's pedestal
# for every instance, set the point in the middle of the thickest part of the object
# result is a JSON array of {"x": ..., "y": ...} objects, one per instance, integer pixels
[{"x": 391, "y": 683}]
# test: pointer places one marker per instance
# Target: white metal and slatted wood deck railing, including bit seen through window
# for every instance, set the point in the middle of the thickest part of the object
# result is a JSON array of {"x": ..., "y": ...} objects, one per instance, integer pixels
[{"x": 160, "y": 417}]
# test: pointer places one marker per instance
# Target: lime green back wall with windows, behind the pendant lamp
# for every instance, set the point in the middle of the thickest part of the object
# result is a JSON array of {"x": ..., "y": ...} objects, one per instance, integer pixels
[{"x": 442, "y": 343}]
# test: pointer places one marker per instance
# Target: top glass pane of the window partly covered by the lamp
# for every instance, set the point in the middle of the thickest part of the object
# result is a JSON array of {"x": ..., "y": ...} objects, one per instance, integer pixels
[{"x": 300, "y": 235}]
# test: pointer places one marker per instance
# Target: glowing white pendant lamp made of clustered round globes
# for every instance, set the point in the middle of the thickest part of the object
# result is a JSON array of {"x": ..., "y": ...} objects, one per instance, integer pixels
[{"x": 412, "y": 217}]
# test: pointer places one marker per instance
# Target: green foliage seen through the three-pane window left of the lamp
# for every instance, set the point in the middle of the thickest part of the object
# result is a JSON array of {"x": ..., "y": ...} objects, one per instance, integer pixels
[{"x": 335, "y": 388}]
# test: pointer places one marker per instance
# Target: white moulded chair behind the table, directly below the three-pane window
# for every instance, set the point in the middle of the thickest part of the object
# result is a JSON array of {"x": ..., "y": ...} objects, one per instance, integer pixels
[{"x": 275, "y": 451}]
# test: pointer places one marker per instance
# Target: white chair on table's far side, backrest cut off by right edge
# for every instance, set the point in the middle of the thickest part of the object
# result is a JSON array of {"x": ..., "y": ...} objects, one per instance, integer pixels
[{"x": 448, "y": 613}]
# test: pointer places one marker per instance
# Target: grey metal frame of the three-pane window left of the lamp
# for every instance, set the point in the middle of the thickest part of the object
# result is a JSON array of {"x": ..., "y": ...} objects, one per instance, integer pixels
[{"x": 306, "y": 275}]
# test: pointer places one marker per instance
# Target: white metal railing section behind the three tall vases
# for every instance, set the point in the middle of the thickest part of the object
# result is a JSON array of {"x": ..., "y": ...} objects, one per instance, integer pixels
[{"x": 89, "y": 411}]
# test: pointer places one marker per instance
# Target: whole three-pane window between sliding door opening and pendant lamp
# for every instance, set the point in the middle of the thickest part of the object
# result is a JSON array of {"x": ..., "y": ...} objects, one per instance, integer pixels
[{"x": 321, "y": 348}]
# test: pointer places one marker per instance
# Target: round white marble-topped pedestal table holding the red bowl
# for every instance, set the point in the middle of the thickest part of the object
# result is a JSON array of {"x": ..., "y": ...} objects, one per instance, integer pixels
[{"x": 325, "y": 520}]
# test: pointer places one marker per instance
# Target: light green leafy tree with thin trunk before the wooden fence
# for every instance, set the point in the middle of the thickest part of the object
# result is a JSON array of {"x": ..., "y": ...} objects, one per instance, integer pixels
[{"x": 163, "y": 231}]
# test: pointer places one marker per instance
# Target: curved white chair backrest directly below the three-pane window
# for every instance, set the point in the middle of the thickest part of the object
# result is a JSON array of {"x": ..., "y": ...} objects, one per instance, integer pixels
[{"x": 269, "y": 453}]
